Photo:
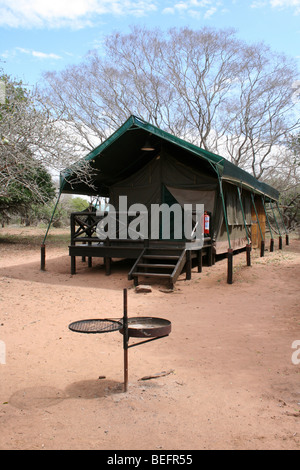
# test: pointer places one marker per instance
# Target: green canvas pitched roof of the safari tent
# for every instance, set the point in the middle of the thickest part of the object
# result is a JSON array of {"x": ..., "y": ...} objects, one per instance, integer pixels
[{"x": 120, "y": 155}]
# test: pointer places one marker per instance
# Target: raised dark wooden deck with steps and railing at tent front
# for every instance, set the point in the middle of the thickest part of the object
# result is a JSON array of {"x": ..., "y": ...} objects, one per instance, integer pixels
[{"x": 158, "y": 259}]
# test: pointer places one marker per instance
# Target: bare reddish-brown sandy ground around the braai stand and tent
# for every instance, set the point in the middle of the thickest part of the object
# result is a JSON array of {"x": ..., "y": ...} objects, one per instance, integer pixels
[{"x": 231, "y": 384}]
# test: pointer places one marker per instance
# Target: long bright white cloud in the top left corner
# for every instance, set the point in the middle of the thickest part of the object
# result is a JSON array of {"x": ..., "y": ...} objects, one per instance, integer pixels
[{"x": 75, "y": 14}]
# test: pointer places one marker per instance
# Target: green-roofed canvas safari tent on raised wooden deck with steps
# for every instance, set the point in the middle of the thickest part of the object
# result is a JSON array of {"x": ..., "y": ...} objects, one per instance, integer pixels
[{"x": 150, "y": 166}]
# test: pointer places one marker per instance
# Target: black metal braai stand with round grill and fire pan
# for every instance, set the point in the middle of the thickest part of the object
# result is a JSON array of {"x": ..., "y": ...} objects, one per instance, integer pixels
[{"x": 150, "y": 328}]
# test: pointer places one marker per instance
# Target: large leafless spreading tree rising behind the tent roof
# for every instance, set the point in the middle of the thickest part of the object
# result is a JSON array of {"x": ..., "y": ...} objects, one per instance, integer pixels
[{"x": 206, "y": 86}]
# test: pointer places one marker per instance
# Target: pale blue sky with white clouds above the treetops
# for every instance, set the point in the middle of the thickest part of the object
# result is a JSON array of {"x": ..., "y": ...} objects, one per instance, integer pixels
[{"x": 42, "y": 35}]
